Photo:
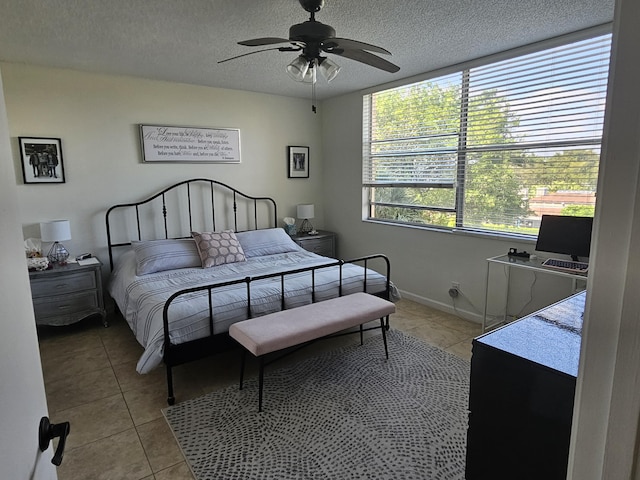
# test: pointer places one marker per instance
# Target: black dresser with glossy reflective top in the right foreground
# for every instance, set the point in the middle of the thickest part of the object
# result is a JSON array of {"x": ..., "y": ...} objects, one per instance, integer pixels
[{"x": 523, "y": 379}]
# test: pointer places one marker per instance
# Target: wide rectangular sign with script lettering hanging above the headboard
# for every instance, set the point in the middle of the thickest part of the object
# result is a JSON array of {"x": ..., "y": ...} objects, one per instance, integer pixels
[{"x": 189, "y": 144}]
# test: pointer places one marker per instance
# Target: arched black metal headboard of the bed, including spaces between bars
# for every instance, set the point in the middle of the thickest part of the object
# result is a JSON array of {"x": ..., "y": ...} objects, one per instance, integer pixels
[{"x": 198, "y": 204}]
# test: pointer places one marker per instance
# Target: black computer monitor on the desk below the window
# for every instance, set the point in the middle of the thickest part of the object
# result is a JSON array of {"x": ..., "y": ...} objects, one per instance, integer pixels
[{"x": 565, "y": 235}]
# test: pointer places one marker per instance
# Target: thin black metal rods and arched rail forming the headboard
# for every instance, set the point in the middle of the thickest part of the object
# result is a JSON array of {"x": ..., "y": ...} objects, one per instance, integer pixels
[{"x": 214, "y": 186}]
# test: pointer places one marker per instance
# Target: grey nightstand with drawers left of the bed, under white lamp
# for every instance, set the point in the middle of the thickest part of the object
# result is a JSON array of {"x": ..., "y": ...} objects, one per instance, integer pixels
[{"x": 66, "y": 294}]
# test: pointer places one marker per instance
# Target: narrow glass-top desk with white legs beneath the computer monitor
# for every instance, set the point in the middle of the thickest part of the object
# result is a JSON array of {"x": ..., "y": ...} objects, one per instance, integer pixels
[{"x": 534, "y": 264}]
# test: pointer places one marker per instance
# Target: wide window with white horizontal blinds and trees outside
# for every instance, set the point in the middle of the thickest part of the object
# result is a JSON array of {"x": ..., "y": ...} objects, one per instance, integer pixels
[{"x": 490, "y": 148}]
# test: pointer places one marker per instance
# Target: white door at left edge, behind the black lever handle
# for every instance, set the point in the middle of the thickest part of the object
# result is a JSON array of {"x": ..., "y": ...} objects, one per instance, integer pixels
[{"x": 22, "y": 392}]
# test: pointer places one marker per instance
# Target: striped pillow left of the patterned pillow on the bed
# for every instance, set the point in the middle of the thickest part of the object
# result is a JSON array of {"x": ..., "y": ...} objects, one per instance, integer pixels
[{"x": 159, "y": 255}]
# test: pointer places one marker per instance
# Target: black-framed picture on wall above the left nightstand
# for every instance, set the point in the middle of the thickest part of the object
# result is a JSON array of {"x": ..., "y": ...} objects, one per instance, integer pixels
[{"x": 41, "y": 160}]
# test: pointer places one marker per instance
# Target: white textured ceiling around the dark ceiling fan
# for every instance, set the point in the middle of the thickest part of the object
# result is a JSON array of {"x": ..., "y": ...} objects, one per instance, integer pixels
[{"x": 182, "y": 40}]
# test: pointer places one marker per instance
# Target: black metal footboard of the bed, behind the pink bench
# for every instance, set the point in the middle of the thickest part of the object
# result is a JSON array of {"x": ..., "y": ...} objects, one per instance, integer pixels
[{"x": 177, "y": 354}]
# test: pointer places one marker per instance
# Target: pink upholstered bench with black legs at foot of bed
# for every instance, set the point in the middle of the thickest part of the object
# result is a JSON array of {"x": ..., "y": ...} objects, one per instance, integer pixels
[{"x": 297, "y": 326}]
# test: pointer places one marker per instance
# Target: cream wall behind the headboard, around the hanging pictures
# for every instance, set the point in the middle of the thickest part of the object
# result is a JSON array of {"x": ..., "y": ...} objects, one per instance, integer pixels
[{"x": 96, "y": 116}]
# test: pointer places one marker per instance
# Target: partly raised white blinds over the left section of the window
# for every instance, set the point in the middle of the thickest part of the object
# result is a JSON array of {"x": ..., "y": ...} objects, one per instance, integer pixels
[{"x": 412, "y": 138}]
